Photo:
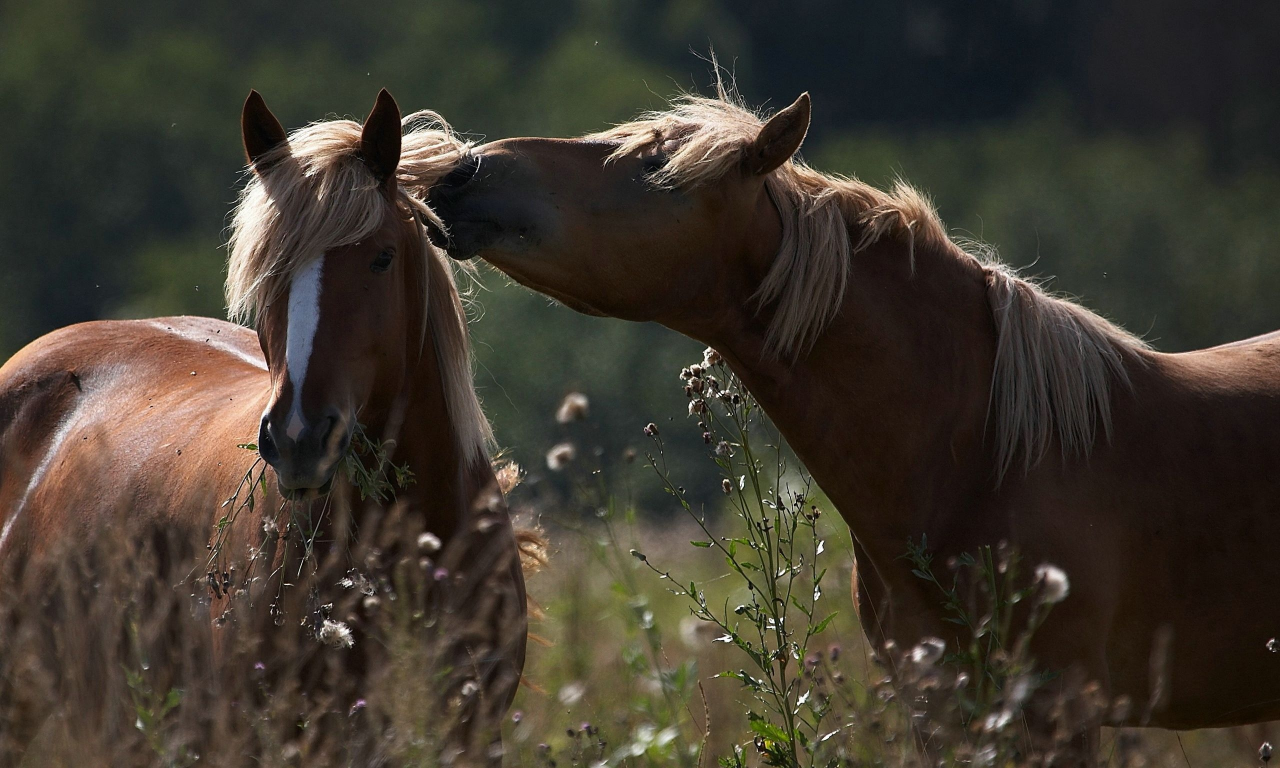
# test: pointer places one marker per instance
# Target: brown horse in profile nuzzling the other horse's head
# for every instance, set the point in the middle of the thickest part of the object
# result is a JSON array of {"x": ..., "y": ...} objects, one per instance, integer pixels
[{"x": 930, "y": 391}]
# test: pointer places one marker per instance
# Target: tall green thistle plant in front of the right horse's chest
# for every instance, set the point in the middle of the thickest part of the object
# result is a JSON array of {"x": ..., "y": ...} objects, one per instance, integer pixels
[{"x": 774, "y": 555}]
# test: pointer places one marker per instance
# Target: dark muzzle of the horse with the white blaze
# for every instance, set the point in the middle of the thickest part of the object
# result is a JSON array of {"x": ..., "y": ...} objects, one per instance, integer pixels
[{"x": 308, "y": 459}]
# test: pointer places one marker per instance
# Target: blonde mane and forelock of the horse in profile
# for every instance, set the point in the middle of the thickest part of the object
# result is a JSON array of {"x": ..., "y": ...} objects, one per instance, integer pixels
[{"x": 1055, "y": 360}]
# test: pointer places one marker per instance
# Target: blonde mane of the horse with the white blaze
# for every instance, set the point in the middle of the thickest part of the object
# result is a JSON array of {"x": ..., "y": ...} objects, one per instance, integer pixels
[{"x": 317, "y": 195}]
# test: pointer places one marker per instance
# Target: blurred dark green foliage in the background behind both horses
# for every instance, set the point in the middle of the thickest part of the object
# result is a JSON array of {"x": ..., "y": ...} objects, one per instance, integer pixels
[{"x": 1135, "y": 161}]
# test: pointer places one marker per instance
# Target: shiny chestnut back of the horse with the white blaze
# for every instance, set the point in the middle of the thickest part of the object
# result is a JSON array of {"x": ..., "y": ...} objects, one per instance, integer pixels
[{"x": 89, "y": 414}]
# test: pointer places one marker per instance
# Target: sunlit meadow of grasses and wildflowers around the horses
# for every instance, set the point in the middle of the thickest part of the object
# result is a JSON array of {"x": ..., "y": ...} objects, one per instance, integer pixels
[{"x": 724, "y": 638}]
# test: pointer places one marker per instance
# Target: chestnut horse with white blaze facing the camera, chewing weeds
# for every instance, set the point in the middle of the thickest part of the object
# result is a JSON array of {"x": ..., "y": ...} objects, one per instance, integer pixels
[{"x": 359, "y": 327}]
